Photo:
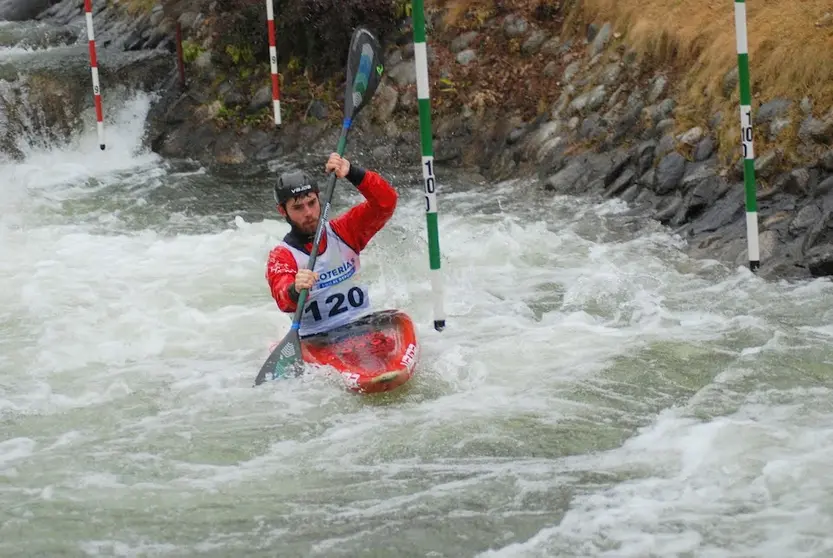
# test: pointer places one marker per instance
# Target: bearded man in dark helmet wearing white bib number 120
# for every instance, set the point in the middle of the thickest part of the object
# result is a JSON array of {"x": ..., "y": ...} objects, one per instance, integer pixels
[{"x": 336, "y": 295}]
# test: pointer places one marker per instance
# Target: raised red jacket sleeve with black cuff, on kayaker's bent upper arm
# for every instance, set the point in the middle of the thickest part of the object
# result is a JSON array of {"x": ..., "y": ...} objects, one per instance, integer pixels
[{"x": 360, "y": 223}]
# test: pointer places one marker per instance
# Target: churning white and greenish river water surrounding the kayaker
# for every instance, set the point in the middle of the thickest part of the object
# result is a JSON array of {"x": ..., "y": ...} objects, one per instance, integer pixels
[{"x": 596, "y": 393}]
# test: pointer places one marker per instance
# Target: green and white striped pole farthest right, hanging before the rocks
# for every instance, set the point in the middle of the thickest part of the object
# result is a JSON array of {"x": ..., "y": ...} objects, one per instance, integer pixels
[{"x": 746, "y": 136}]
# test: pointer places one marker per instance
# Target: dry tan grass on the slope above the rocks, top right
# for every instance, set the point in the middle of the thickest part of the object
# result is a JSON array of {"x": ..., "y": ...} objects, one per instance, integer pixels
[{"x": 789, "y": 53}]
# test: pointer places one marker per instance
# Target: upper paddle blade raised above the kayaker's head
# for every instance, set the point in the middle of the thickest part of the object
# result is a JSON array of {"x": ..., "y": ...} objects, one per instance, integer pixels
[{"x": 364, "y": 71}]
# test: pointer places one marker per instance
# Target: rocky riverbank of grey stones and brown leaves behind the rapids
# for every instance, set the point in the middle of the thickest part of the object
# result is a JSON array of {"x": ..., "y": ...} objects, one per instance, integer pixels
[{"x": 525, "y": 92}]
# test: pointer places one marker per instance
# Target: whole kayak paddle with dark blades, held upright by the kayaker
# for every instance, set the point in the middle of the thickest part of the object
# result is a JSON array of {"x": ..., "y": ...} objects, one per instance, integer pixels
[{"x": 364, "y": 71}]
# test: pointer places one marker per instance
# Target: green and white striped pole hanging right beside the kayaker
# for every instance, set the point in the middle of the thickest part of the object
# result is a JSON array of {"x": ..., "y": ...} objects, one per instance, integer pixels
[{"x": 426, "y": 139}]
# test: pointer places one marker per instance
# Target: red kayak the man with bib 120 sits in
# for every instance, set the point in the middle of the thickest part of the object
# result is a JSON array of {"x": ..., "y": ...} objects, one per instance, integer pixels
[{"x": 374, "y": 354}]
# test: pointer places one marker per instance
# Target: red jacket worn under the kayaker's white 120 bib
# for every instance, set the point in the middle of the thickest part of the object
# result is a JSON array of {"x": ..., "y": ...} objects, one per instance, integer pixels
[{"x": 354, "y": 228}]
